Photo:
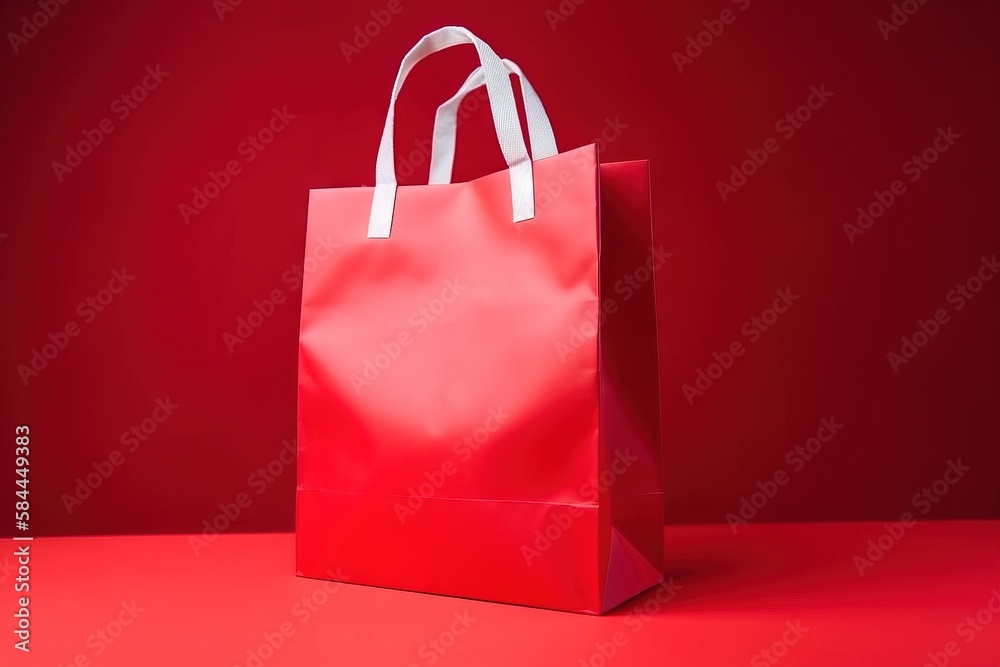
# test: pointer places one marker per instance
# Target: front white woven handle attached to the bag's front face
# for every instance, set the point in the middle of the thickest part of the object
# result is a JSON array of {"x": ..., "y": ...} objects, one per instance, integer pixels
[{"x": 505, "y": 120}]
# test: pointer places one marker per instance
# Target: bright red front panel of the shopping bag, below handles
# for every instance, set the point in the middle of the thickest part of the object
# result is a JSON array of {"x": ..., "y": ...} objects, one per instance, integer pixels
[{"x": 447, "y": 399}]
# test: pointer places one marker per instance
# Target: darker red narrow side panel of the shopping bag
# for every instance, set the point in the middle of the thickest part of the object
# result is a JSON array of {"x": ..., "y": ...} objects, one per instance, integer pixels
[{"x": 629, "y": 383}]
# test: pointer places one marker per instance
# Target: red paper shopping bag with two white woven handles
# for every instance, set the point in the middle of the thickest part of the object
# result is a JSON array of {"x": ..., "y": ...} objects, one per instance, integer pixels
[{"x": 478, "y": 408}]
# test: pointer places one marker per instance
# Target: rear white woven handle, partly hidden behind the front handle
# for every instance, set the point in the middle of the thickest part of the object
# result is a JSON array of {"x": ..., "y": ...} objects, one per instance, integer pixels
[{"x": 542, "y": 139}]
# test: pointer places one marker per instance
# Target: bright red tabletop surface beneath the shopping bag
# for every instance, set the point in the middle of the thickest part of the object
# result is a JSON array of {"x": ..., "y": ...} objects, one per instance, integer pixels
[{"x": 733, "y": 597}]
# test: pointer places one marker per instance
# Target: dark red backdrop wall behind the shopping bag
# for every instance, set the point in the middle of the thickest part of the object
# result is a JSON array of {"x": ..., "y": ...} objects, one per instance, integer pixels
[{"x": 826, "y": 357}]
